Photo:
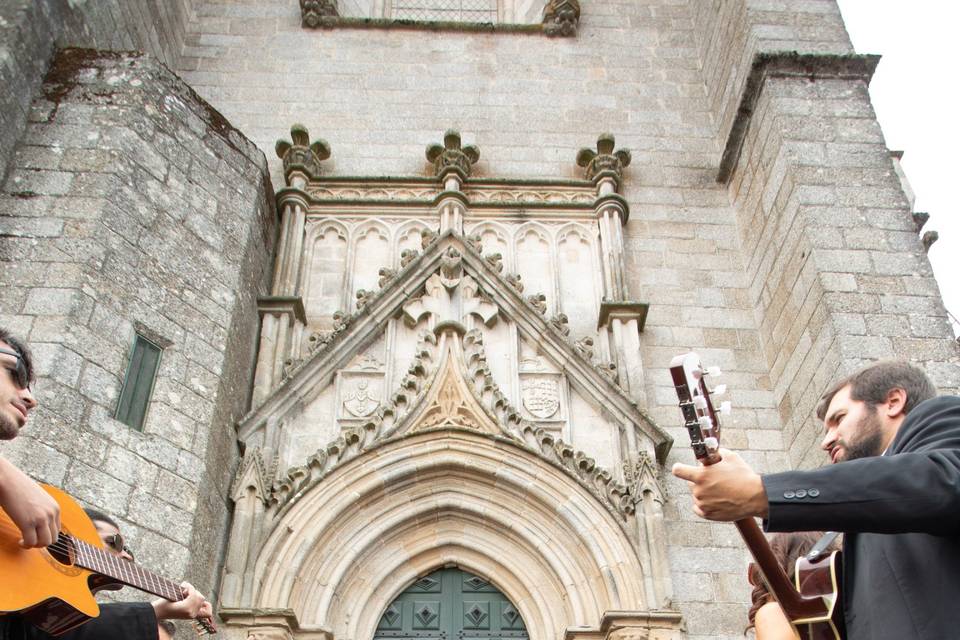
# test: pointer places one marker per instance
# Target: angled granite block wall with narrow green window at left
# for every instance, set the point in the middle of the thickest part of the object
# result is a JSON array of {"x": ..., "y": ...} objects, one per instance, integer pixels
[{"x": 133, "y": 206}]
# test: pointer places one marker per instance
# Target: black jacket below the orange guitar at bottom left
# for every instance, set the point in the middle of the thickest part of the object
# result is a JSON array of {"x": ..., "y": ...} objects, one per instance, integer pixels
[{"x": 117, "y": 621}]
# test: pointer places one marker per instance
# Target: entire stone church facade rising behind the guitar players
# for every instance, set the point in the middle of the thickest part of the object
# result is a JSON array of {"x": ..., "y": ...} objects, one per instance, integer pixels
[{"x": 423, "y": 394}]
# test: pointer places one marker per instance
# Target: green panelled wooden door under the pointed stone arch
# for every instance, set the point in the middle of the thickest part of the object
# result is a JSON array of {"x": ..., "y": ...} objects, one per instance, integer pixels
[{"x": 451, "y": 604}]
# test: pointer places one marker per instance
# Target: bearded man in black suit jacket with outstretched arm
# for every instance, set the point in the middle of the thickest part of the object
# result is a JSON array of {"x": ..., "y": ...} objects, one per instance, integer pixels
[{"x": 894, "y": 490}]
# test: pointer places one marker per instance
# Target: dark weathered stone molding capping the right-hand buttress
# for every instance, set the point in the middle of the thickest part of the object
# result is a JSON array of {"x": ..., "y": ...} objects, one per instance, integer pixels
[{"x": 787, "y": 64}]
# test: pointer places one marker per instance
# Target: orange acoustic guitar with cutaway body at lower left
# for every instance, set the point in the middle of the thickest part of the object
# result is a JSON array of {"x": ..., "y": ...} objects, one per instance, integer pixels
[{"x": 53, "y": 587}]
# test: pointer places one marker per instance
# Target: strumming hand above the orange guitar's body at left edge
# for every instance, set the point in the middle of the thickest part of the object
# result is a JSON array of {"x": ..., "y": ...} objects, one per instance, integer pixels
[{"x": 32, "y": 509}]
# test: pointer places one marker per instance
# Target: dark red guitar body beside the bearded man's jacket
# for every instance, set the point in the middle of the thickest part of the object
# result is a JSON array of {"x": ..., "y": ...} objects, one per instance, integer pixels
[{"x": 821, "y": 579}]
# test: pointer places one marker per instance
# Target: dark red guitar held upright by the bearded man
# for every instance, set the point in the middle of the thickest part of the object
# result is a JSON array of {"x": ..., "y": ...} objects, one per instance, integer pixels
[{"x": 813, "y": 603}]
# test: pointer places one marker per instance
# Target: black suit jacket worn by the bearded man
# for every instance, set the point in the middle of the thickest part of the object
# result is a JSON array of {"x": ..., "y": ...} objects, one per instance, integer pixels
[{"x": 901, "y": 517}]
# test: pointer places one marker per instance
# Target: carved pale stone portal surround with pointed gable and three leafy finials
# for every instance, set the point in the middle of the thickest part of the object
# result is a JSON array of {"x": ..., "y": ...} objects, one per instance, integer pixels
[{"x": 458, "y": 315}]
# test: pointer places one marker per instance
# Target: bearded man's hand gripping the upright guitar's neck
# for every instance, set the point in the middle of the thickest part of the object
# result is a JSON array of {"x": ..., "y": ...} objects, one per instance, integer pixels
[{"x": 726, "y": 491}]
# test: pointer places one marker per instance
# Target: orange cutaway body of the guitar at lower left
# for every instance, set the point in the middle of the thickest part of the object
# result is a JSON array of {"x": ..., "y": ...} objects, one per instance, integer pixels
[{"x": 50, "y": 592}]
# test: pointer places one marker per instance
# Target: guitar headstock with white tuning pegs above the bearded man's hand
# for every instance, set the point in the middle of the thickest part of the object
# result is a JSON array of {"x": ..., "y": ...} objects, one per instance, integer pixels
[{"x": 696, "y": 404}]
